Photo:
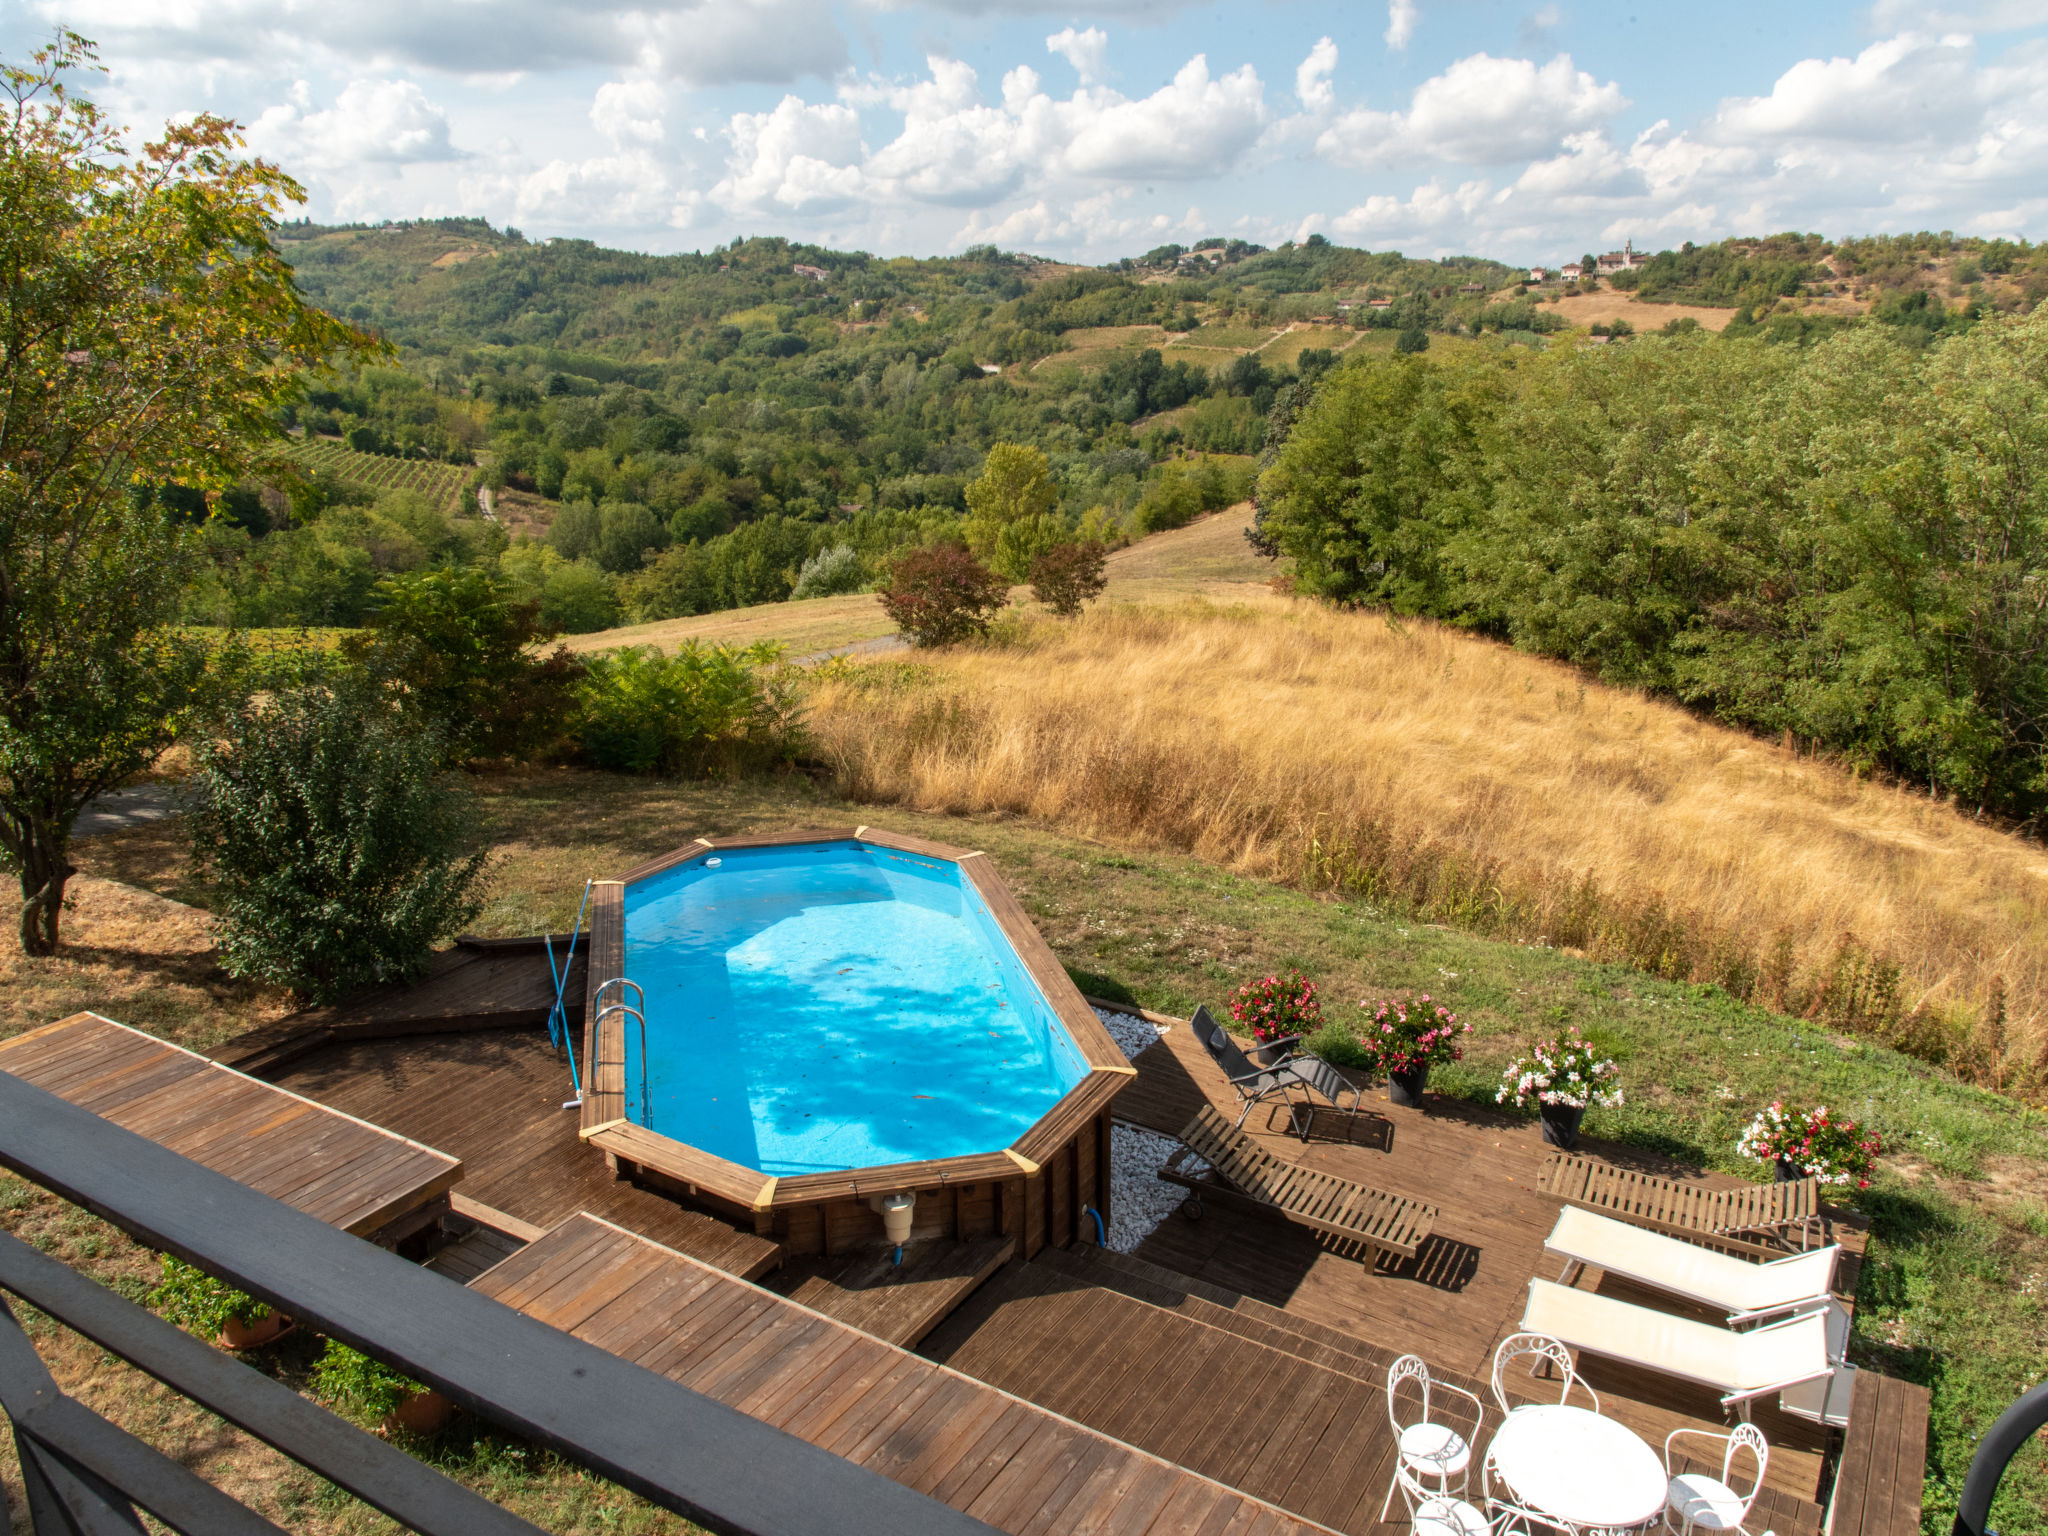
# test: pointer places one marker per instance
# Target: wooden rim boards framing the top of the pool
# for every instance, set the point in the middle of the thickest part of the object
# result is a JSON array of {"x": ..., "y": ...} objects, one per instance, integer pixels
[{"x": 605, "y": 1121}]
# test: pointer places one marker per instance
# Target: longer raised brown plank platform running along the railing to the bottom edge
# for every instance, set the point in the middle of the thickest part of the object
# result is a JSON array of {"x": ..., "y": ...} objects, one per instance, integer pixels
[{"x": 935, "y": 1431}]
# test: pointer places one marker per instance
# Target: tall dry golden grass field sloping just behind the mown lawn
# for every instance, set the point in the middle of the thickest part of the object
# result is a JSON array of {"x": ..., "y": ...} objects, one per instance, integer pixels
[{"x": 1461, "y": 779}]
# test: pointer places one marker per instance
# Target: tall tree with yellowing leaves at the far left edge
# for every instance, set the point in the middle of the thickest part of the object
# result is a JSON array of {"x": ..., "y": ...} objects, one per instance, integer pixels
[{"x": 148, "y": 337}]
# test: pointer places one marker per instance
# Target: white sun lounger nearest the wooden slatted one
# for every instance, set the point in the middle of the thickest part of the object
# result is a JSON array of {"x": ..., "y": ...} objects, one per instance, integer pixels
[{"x": 1736, "y": 1287}]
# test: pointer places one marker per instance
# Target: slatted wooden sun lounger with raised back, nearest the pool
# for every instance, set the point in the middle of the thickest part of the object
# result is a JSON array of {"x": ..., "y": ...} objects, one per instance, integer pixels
[{"x": 1246, "y": 1175}]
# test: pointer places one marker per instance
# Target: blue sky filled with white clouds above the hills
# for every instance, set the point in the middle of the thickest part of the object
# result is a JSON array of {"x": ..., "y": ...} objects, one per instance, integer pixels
[{"x": 1531, "y": 132}]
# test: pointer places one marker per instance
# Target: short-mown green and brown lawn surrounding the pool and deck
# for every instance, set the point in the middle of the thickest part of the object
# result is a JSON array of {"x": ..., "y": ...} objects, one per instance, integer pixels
[{"x": 1951, "y": 1295}]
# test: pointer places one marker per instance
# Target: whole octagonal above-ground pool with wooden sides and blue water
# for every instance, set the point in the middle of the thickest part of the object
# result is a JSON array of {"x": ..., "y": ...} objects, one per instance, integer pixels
[{"x": 847, "y": 1035}]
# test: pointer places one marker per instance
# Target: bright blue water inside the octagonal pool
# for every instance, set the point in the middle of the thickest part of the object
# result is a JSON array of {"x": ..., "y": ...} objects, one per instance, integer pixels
[{"x": 837, "y": 1007}]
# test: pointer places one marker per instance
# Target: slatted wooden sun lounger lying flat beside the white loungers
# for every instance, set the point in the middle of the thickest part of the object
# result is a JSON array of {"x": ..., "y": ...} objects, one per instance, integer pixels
[{"x": 1762, "y": 1220}]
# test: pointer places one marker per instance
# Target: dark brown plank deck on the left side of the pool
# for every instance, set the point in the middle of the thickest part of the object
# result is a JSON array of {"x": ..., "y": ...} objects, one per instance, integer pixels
[{"x": 495, "y": 1101}]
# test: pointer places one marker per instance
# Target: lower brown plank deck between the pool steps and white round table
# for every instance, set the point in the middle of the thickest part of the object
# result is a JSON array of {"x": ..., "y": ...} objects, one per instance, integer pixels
[{"x": 1291, "y": 1416}]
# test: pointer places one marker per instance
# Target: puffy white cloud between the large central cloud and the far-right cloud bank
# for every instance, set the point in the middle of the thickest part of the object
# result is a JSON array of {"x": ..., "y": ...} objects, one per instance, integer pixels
[{"x": 1482, "y": 112}]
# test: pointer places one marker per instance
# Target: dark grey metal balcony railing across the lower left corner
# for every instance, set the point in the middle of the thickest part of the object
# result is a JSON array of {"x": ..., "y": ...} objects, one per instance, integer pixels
[{"x": 656, "y": 1439}]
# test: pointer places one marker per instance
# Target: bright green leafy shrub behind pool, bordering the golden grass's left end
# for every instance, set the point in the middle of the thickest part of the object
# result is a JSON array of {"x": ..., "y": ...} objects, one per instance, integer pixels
[{"x": 703, "y": 710}]
